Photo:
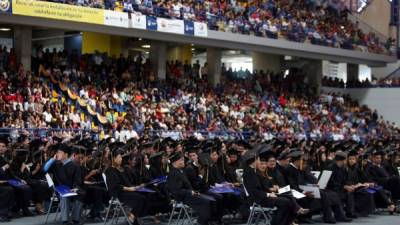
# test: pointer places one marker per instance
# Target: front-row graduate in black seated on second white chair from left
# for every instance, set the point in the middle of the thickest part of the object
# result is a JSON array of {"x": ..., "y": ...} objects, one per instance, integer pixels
[{"x": 120, "y": 187}]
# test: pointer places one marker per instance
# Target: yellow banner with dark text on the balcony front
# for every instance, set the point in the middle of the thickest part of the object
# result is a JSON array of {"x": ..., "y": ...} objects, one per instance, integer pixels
[{"x": 57, "y": 11}]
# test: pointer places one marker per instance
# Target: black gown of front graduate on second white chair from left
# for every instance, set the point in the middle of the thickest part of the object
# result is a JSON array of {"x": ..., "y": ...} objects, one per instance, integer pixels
[{"x": 116, "y": 181}]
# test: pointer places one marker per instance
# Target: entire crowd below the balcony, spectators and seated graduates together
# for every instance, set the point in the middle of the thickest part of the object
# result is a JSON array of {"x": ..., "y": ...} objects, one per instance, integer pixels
[{"x": 77, "y": 117}]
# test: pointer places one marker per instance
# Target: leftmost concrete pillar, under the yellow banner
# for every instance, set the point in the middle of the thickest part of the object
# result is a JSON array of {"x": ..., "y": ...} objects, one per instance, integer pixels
[{"x": 23, "y": 45}]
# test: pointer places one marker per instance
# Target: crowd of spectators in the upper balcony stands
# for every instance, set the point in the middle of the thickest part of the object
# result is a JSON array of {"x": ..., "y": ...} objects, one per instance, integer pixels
[{"x": 311, "y": 21}]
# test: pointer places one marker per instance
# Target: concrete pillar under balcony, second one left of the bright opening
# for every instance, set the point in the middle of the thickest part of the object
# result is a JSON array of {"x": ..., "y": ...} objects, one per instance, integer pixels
[{"x": 158, "y": 59}]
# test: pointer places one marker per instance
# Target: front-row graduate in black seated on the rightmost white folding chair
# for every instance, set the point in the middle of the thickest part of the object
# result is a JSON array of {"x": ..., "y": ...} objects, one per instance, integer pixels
[{"x": 255, "y": 185}]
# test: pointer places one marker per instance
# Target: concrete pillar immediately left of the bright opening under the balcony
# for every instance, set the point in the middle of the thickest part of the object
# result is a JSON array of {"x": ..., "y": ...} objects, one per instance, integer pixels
[{"x": 214, "y": 65}]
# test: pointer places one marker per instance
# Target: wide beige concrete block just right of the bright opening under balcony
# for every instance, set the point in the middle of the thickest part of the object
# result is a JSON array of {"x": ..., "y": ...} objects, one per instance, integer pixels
[{"x": 265, "y": 62}]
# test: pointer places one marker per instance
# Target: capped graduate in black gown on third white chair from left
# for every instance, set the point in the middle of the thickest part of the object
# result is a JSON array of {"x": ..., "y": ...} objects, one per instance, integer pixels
[{"x": 181, "y": 190}]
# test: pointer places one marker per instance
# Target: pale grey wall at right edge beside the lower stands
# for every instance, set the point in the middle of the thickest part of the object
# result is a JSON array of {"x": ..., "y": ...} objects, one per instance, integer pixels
[{"x": 385, "y": 100}]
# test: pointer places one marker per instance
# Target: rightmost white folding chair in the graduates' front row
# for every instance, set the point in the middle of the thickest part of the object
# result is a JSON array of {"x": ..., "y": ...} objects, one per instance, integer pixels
[{"x": 257, "y": 212}]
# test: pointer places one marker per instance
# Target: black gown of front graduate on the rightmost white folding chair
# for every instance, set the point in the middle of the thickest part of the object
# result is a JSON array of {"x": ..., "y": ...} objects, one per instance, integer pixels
[{"x": 257, "y": 189}]
